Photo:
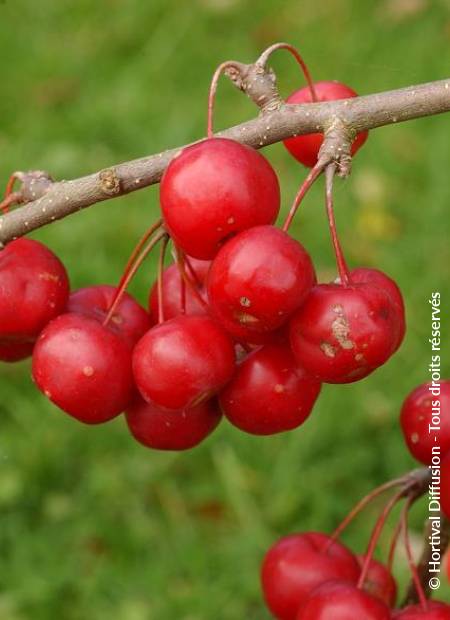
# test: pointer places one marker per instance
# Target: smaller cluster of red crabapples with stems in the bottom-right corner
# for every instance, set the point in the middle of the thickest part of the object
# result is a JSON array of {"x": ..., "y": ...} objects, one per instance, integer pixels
[{"x": 313, "y": 576}]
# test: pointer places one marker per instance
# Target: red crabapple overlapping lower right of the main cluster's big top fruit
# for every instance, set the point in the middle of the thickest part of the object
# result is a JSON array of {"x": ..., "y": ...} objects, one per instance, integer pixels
[{"x": 257, "y": 280}]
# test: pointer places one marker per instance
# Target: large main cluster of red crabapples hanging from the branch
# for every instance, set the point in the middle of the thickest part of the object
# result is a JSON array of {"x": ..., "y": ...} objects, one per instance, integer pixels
[{"x": 238, "y": 325}]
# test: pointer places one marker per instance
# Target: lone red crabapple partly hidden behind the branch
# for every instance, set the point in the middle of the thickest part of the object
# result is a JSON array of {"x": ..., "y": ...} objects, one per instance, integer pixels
[{"x": 306, "y": 148}]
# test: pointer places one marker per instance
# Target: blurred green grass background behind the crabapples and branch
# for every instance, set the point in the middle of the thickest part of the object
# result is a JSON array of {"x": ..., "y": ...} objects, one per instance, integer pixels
[{"x": 93, "y": 526}]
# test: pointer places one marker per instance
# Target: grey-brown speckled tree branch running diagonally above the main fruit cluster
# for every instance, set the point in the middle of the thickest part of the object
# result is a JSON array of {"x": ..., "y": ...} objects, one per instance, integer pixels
[{"x": 358, "y": 114}]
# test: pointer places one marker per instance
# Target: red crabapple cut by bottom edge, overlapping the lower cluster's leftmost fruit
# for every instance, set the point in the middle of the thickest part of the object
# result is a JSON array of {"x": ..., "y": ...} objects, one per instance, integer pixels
[{"x": 339, "y": 600}]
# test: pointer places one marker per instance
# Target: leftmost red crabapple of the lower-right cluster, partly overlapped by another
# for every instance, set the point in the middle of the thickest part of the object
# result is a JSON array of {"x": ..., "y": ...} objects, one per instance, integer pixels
[{"x": 297, "y": 564}]
